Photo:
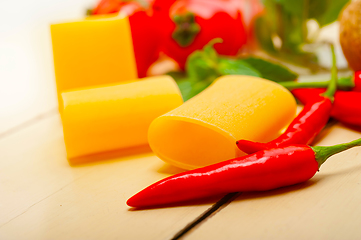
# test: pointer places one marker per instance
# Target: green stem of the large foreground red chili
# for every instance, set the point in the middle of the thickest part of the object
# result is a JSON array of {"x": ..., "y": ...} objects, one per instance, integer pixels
[{"x": 323, "y": 153}]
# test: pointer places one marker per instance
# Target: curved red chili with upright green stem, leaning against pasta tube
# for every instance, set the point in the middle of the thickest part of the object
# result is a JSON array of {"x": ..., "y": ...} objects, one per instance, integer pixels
[{"x": 304, "y": 128}]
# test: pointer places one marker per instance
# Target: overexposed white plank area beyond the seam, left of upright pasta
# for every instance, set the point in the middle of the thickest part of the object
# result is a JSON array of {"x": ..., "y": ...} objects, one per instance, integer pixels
[{"x": 26, "y": 64}]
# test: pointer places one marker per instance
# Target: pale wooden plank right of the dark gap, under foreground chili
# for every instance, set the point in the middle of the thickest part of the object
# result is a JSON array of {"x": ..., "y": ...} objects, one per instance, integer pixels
[{"x": 326, "y": 207}]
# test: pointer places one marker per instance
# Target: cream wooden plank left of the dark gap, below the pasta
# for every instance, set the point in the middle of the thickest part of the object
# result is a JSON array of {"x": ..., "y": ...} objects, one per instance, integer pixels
[{"x": 43, "y": 197}]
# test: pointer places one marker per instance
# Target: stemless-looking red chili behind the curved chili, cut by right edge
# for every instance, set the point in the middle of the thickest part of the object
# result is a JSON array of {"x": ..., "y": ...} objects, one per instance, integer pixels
[{"x": 346, "y": 107}]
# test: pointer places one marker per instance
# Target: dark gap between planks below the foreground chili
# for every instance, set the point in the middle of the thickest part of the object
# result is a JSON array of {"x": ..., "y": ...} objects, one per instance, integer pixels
[{"x": 218, "y": 206}]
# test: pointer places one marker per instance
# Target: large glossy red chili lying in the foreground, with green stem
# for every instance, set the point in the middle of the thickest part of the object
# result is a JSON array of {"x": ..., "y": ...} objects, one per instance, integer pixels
[{"x": 261, "y": 171}]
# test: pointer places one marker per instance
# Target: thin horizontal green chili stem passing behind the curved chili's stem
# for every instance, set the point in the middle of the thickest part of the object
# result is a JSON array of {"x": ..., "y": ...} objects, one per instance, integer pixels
[{"x": 344, "y": 83}]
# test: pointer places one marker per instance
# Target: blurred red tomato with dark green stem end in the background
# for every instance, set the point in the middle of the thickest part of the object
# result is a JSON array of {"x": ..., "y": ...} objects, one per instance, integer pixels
[{"x": 196, "y": 22}]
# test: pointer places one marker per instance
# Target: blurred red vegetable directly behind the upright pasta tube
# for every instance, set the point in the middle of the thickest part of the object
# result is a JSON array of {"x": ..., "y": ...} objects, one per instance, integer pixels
[{"x": 144, "y": 29}]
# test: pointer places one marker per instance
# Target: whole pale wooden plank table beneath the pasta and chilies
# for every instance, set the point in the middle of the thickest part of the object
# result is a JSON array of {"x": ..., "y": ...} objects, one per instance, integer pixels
[{"x": 43, "y": 197}]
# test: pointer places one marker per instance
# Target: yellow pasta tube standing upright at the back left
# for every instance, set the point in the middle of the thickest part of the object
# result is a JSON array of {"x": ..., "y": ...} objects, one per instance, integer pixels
[{"x": 92, "y": 52}]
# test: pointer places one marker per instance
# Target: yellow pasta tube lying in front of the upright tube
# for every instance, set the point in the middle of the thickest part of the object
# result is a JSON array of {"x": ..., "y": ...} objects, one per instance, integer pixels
[{"x": 115, "y": 117}]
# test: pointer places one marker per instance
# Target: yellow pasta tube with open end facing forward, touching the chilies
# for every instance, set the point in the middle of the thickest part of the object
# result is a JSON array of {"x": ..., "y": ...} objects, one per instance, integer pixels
[{"x": 204, "y": 130}]
